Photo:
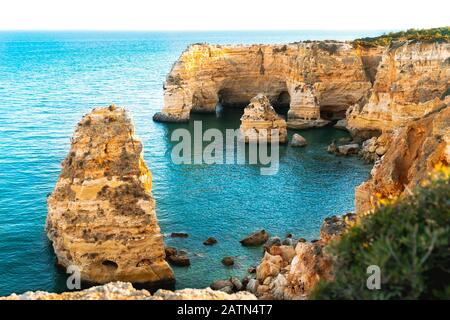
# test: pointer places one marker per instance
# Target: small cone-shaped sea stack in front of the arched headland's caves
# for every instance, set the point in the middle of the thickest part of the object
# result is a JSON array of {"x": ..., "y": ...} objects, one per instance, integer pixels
[{"x": 260, "y": 121}]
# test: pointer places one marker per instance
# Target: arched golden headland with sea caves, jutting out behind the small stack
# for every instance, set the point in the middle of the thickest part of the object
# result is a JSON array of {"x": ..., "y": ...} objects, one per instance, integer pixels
[{"x": 311, "y": 77}]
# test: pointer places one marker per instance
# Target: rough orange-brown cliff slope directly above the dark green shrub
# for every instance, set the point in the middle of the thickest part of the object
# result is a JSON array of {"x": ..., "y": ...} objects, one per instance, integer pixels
[{"x": 412, "y": 152}]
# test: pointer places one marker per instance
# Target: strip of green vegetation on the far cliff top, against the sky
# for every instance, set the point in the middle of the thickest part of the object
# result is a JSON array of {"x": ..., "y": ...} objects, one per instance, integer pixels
[{"x": 424, "y": 35}]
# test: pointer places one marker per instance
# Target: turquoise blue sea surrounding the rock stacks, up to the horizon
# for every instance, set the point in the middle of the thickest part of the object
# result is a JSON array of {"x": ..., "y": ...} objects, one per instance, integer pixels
[{"x": 48, "y": 81}]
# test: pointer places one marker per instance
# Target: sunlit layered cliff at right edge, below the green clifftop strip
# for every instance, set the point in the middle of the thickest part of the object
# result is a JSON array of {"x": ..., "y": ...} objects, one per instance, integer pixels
[{"x": 412, "y": 80}]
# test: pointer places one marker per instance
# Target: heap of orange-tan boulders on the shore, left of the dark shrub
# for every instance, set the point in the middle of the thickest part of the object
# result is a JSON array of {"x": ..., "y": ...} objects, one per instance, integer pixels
[{"x": 291, "y": 271}]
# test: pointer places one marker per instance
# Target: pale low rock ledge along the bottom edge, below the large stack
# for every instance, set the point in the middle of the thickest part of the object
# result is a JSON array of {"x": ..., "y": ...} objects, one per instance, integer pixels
[{"x": 125, "y": 291}]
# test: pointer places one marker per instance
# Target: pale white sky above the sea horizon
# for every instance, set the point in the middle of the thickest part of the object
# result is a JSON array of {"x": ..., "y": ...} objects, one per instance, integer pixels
[{"x": 222, "y": 15}]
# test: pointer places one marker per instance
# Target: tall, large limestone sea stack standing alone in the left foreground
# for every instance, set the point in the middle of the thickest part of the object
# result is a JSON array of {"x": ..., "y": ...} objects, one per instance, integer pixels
[{"x": 101, "y": 214}]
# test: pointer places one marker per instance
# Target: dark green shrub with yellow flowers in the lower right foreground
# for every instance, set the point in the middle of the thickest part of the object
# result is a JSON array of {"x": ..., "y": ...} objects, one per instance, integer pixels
[{"x": 408, "y": 239}]
